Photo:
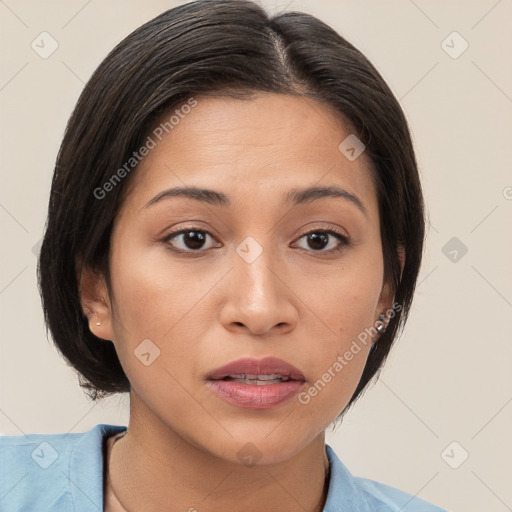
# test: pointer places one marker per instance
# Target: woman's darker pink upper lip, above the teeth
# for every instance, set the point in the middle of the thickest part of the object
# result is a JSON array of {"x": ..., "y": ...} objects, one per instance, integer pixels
[{"x": 265, "y": 366}]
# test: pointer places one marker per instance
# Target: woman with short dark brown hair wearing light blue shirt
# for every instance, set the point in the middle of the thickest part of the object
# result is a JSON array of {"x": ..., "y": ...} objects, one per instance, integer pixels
[{"x": 234, "y": 234}]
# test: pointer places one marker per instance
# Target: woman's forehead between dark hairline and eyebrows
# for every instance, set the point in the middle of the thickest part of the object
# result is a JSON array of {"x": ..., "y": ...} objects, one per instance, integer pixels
[{"x": 257, "y": 148}]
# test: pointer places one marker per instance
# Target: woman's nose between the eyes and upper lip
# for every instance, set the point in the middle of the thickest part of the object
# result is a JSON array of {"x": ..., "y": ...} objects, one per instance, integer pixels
[{"x": 259, "y": 301}]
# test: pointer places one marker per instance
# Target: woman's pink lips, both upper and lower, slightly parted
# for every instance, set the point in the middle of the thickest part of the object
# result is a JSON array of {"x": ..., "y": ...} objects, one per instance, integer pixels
[{"x": 254, "y": 396}]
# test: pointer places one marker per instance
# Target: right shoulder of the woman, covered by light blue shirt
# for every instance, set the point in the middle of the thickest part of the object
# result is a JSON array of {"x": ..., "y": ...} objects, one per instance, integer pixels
[{"x": 350, "y": 493}]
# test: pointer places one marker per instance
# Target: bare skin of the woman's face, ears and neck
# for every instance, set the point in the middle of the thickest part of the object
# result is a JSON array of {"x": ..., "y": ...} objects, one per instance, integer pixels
[{"x": 203, "y": 309}]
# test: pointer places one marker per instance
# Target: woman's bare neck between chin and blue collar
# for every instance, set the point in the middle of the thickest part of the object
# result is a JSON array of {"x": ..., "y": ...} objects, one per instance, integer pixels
[{"x": 154, "y": 468}]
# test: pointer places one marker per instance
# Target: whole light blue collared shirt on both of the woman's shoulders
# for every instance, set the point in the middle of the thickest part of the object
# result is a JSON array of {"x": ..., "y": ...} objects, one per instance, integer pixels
[{"x": 64, "y": 473}]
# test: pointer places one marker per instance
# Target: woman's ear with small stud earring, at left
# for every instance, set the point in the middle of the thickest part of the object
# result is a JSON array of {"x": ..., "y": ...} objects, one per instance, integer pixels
[{"x": 95, "y": 302}]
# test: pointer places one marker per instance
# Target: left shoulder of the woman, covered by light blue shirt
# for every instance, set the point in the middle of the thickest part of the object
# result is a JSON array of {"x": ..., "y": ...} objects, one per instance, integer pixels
[{"x": 45, "y": 472}]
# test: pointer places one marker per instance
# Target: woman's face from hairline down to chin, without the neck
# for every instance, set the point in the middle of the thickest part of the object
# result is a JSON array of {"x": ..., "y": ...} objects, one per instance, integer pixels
[{"x": 245, "y": 280}]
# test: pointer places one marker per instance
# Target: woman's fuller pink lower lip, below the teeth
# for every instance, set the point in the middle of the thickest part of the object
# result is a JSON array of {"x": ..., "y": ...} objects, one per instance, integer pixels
[{"x": 253, "y": 396}]
